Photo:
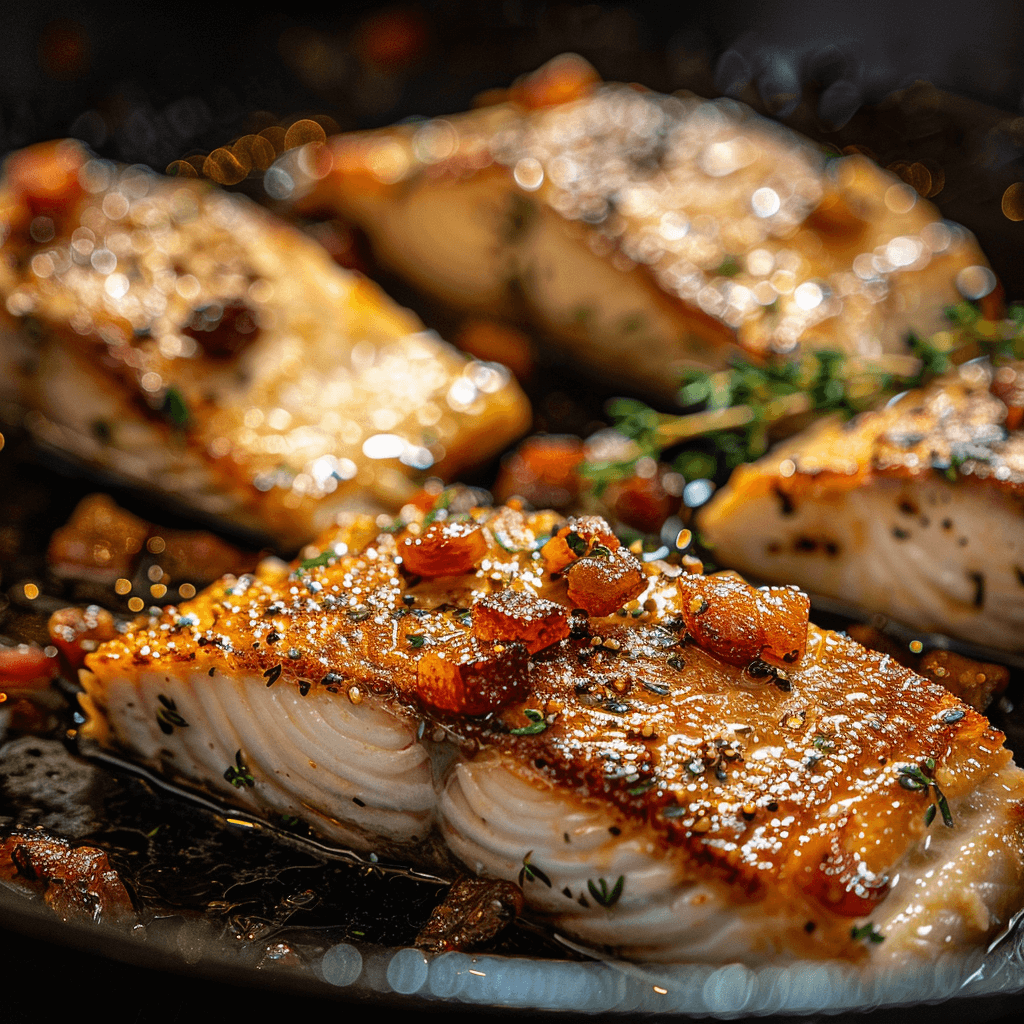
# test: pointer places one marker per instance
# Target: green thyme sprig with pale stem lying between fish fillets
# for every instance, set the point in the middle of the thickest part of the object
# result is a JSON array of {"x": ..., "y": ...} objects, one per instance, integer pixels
[{"x": 737, "y": 413}]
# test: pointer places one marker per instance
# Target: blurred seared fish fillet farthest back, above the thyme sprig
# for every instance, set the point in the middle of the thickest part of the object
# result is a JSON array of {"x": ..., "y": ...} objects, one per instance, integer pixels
[{"x": 671, "y": 229}]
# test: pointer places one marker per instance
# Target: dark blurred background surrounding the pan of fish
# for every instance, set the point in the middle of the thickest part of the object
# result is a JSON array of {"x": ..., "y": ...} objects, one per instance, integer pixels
[{"x": 937, "y": 87}]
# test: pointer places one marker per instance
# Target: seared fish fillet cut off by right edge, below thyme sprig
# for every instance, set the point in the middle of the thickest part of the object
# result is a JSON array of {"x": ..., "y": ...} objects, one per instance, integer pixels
[{"x": 916, "y": 510}]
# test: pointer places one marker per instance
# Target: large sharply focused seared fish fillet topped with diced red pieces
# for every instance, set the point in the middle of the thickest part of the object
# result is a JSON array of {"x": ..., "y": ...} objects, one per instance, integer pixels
[{"x": 673, "y": 767}]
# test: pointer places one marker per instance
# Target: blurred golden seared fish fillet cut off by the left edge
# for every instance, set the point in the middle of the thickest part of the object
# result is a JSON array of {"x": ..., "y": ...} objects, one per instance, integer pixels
[{"x": 187, "y": 342}]
